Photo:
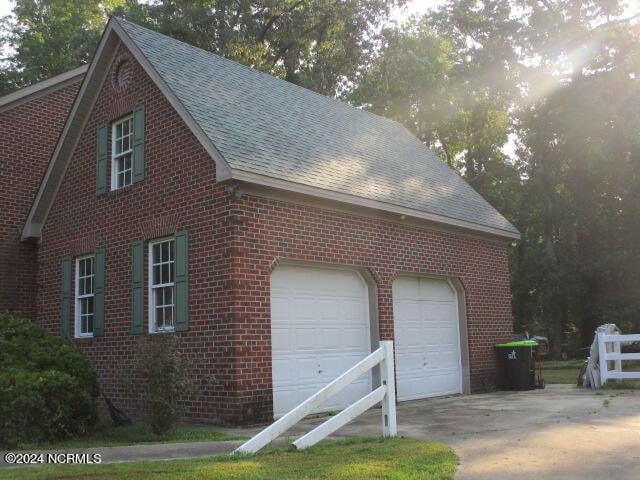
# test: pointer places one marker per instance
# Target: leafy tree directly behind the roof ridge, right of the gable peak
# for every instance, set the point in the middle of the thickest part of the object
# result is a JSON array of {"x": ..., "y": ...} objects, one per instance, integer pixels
[{"x": 314, "y": 43}]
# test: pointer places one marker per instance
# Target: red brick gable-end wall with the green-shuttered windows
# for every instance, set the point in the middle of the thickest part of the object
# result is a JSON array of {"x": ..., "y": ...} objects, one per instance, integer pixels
[{"x": 178, "y": 193}]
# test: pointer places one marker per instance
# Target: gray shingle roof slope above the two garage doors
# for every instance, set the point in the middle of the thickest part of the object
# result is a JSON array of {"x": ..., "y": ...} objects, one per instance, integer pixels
[{"x": 265, "y": 125}]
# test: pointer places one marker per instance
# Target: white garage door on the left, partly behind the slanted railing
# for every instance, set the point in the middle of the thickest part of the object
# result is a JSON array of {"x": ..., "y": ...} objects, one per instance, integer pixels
[{"x": 319, "y": 329}]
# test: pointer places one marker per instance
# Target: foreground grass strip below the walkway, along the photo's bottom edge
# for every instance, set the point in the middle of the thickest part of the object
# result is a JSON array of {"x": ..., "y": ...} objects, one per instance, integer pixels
[{"x": 353, "y": 459}]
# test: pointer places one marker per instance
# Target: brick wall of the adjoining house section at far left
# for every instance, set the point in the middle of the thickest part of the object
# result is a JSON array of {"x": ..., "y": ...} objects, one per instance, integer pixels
[{"x": 28, "y": 135}]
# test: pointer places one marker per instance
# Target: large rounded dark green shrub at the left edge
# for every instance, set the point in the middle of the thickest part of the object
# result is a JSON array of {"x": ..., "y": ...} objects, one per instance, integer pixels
[{"x": 48, "y": 388}]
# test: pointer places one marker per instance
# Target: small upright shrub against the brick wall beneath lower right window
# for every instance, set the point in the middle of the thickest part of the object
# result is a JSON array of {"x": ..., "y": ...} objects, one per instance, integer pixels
[{"x": 163, "y": 373}]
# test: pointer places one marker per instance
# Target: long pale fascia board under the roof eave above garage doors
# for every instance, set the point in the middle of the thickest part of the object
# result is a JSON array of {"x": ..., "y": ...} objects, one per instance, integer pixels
[{"x": 280, "y": 184}]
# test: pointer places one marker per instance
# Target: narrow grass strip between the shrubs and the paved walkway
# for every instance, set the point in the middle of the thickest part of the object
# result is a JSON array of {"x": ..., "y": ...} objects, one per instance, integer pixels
[{"x": 107, "y": 435}]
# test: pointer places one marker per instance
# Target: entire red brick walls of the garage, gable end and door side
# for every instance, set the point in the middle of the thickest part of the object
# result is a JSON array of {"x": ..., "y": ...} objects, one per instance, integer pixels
[{"x": 233, "y": 245}]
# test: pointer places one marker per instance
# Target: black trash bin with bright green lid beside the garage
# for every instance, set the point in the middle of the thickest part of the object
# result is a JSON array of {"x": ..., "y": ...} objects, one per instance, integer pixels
[{"x": 517, "y": 365}]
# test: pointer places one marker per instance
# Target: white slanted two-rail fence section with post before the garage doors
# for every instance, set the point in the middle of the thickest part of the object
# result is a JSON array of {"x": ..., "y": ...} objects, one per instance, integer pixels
[{"x": 386, "y": 394}]
